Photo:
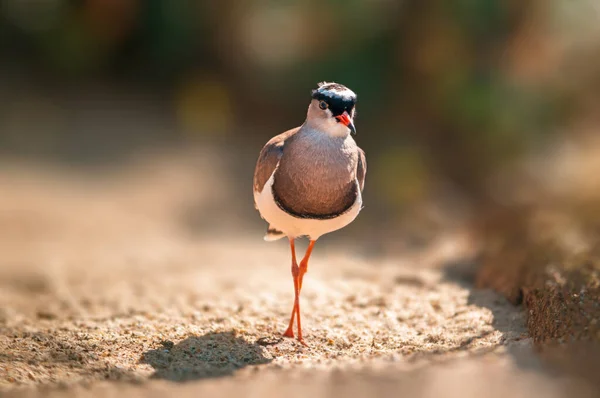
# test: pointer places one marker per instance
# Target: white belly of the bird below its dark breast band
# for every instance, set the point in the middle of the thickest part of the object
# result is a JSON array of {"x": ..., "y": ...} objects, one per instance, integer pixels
[{"x": 295, "y": 227}]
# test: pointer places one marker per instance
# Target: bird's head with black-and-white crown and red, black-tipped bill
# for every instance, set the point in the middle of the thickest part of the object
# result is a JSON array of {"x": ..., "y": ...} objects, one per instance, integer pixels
[{"x": 332, "y": 109}]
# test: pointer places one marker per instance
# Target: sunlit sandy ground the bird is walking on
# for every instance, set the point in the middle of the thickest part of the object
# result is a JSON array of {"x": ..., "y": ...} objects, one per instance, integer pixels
[{"x": 104, "y": 293}]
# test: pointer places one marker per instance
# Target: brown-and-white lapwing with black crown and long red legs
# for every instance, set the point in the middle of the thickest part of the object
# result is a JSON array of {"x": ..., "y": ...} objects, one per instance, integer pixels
[{"x": 308, "y": 181}]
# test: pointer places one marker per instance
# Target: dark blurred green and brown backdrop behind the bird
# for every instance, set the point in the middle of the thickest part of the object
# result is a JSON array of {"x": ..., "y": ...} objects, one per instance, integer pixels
[{"x": 453, "y": 96}]
